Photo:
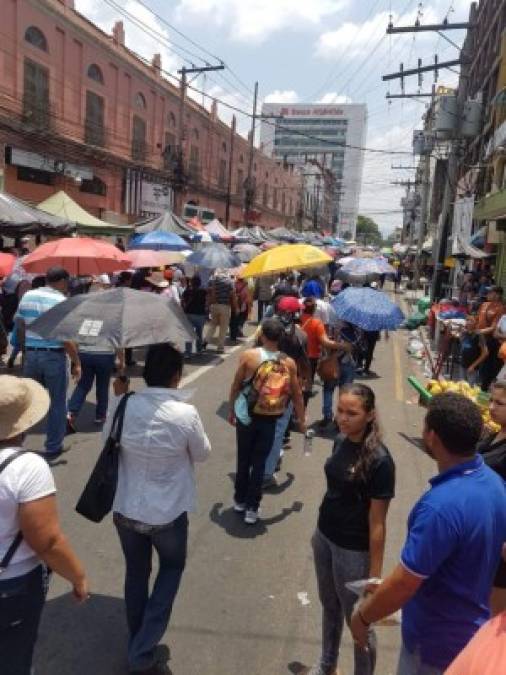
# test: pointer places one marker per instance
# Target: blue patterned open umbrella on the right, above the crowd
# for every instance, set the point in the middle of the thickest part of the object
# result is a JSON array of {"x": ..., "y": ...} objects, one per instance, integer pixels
[{"x": 368, "y": 309}]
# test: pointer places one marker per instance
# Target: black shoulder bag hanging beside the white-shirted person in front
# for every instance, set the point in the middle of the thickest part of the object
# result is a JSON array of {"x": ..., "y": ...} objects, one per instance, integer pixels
[{"x": 97, "y": 497}]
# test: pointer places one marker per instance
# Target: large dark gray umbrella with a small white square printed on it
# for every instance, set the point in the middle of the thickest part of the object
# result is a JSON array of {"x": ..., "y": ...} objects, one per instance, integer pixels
[{"x": 118, "y": 318}]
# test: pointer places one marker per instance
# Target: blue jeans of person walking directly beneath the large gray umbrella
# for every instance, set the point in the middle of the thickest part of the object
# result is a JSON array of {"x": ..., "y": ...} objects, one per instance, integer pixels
[{"x": 97, "y": 367}]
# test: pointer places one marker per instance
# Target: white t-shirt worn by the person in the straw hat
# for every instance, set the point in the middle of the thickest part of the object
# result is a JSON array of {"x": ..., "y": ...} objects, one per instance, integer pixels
[{"x": 25, "y": 479}]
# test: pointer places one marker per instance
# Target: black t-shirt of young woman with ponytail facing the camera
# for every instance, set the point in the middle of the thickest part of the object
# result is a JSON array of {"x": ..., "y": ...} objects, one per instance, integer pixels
[{"x": 344, "y": 513}]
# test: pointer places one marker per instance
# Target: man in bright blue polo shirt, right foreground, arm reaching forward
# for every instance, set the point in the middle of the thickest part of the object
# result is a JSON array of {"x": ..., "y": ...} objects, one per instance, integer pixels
[{"x": 453, "y": 546}]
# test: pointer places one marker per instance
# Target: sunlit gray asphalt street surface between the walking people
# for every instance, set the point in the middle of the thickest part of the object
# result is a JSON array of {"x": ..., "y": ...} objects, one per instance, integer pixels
[{"x": 248, "y": 601}]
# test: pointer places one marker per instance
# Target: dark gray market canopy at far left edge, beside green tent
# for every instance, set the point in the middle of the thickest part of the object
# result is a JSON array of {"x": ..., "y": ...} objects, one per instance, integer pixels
[{"x": 18, "y": 218}]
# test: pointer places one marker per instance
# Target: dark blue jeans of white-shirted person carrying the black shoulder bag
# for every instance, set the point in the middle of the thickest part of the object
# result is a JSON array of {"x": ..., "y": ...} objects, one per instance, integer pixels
[{"x": 148, "y": 615}]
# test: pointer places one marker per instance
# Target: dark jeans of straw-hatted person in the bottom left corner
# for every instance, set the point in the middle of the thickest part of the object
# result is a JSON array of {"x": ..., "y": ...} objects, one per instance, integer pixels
[{"x": 21, "y": 602}]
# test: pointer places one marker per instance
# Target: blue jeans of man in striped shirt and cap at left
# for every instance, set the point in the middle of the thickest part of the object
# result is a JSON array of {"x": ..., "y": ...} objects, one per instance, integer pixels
[{"x": 49, "y": 368}]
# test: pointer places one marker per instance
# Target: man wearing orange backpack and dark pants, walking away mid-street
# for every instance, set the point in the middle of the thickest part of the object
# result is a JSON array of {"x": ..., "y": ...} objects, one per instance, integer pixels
[{"x": 264, "y": 384}]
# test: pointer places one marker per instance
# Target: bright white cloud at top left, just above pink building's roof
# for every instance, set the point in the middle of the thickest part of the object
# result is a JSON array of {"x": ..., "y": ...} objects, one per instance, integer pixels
[{"x": 144, "y": 34}]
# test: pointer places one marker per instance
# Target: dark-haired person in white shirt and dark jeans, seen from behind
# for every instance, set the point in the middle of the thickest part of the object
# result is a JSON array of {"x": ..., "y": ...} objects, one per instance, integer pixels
[{"x": 162, "y": 438}]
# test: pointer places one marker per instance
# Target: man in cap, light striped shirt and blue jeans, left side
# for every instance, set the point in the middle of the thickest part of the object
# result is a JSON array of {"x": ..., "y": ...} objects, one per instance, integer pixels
[{"x": 45, "y": 360}]
